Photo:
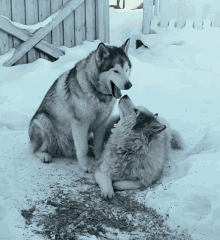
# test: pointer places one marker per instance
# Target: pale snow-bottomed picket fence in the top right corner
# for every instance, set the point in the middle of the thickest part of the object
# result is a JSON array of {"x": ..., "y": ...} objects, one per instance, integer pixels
[{"x": 179, "y": 11}]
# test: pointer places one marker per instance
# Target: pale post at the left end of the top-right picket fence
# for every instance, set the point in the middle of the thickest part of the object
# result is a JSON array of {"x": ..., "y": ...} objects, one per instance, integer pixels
[{"x": 147, "y": 15}]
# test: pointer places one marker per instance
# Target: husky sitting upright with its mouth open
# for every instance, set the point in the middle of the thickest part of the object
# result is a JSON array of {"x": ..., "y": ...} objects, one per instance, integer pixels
[{"x": 79, "y": 102}]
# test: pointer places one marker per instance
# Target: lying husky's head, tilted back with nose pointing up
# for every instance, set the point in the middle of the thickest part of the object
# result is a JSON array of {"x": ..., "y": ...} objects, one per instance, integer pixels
[{"x": 138, "y": 120}]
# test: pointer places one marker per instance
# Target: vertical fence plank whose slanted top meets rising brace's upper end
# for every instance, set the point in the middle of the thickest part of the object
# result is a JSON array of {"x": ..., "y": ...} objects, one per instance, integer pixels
[{"x": 79, "y": 24}]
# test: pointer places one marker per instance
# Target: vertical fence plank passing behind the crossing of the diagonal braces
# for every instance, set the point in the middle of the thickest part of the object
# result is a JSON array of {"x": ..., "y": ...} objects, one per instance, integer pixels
[{"x": 32, "y": 18}]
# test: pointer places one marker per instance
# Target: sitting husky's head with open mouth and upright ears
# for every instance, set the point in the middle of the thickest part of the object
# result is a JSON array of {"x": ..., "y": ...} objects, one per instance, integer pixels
[{"x": 114, "y": 67}]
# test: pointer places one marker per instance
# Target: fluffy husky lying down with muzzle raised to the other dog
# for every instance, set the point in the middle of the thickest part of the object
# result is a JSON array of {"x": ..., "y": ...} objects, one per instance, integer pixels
[{"x": 135, "y": 151}]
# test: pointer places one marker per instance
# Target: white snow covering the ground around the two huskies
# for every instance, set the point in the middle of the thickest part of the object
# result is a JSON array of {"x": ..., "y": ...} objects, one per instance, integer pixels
[{"x": 178, "y": 76}]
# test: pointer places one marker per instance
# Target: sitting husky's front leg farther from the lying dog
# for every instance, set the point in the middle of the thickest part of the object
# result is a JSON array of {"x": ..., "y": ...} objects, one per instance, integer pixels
[{"x": 80, "y": 137}]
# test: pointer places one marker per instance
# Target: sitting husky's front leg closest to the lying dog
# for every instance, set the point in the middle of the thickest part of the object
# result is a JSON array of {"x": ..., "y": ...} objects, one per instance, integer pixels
[{"x": 99, "y": 134}]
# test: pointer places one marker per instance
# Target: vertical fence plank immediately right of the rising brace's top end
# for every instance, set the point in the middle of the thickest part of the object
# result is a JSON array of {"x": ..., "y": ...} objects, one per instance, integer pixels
[{"x": 90, "y": 20}]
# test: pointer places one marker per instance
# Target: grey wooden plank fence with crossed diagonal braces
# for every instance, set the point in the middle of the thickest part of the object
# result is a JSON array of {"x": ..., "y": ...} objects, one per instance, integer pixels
[{"x": 88, "y": 21}]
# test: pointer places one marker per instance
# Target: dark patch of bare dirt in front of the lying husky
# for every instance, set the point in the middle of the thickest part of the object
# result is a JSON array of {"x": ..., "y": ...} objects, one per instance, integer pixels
[{"x": 68, "y": 215}]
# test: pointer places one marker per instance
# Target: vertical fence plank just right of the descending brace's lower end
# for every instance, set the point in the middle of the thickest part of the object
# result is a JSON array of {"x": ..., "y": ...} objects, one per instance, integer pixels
[{"x": 69, "y": 29}]
